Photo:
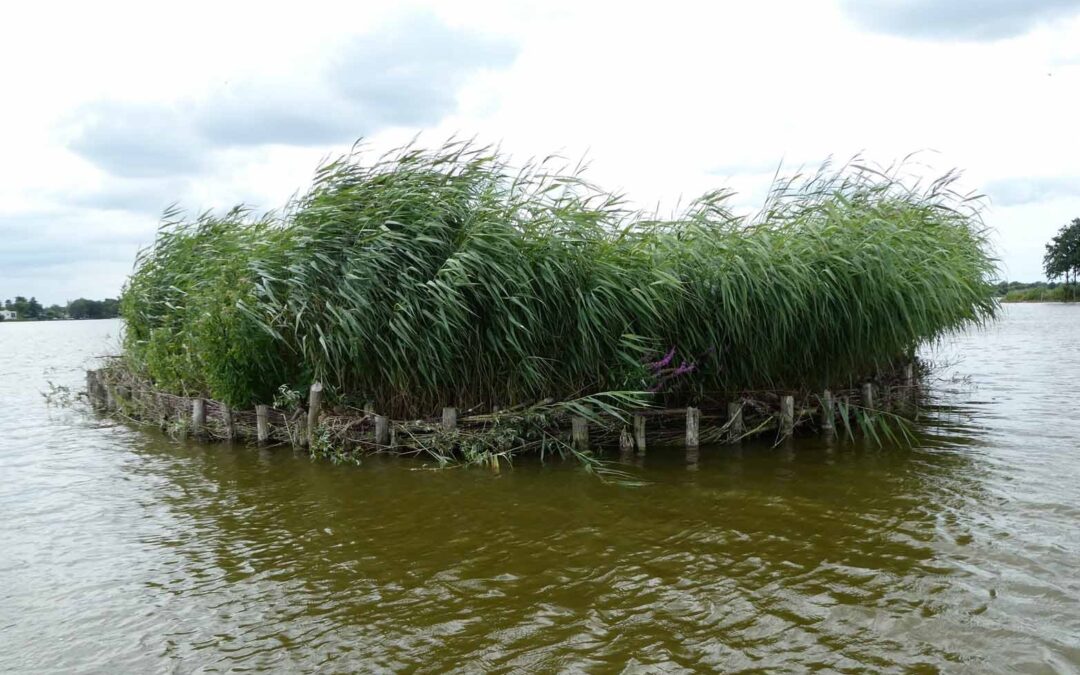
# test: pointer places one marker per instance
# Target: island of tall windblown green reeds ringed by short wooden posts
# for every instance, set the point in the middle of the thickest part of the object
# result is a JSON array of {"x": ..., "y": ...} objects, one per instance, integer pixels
[{"x": 449, "y": 303}]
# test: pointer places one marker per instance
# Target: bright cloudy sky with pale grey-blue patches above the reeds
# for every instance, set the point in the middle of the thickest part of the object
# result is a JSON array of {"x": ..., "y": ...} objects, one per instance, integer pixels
[{"x": 113, "y": 112}]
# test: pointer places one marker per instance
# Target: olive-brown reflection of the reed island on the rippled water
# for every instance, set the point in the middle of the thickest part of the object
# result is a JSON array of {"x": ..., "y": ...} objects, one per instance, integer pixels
[{"x": 801, "y": 553}]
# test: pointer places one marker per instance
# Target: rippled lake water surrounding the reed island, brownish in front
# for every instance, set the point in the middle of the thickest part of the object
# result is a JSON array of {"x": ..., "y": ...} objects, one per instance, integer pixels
[{"x": 123, "y": 551}]
